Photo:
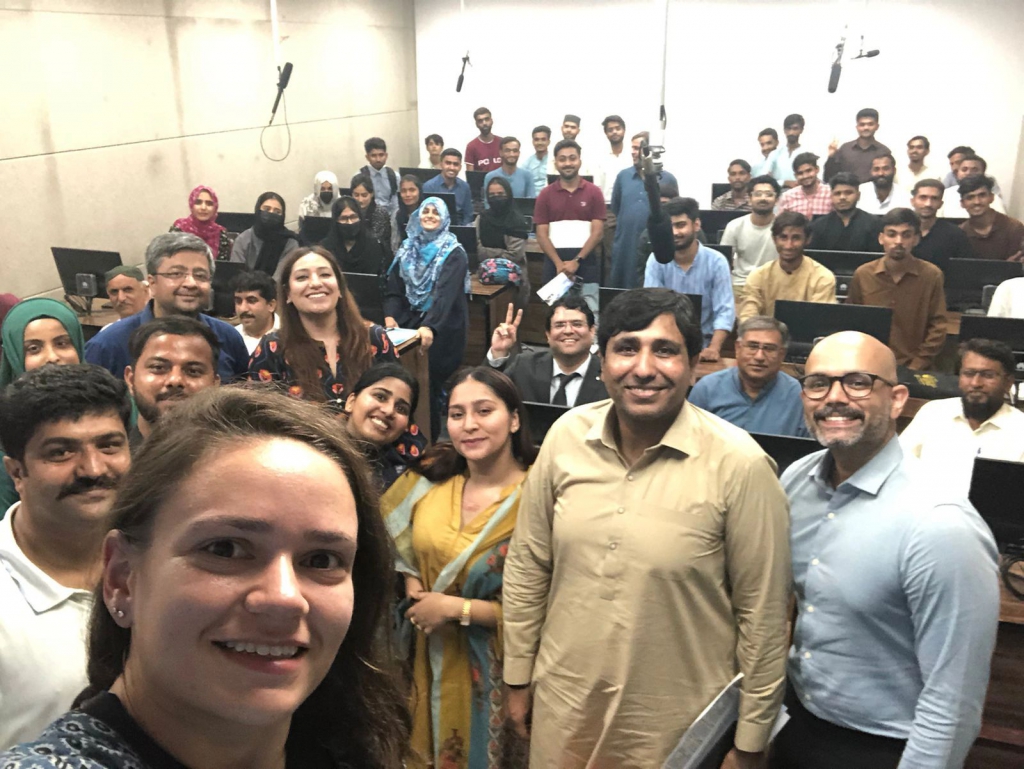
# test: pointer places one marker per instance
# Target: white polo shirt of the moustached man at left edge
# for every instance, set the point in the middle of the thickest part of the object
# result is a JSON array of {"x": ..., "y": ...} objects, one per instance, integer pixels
[{"x": 44, "y": 628}]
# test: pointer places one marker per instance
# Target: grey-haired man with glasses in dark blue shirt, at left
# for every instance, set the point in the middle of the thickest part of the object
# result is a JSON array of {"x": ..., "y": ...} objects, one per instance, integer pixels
[{"x": 181, "y": 270}]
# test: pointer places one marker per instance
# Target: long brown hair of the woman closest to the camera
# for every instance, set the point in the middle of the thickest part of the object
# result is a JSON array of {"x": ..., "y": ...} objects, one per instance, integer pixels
[{"x": 359, "y": 713}]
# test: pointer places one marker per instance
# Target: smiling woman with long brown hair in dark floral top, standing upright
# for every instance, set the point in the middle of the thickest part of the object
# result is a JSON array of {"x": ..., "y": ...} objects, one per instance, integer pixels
[{"x": 324, "y": 343}]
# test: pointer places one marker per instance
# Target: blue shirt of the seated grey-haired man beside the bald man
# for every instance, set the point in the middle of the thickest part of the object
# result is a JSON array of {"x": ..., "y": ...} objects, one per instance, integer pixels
[{"x": 778, "y": 410}]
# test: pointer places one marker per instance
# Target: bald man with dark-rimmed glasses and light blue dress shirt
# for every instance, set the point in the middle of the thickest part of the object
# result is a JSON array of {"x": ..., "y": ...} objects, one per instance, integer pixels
[{"x": 897, "y": 583}]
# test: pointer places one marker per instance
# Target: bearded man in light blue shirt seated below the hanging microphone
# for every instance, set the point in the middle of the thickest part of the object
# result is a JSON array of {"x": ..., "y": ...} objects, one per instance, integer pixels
[{"x": 696, "y": 270}]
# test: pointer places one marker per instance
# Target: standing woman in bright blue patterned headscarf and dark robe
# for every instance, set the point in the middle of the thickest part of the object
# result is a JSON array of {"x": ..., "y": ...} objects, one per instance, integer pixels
[{"x": 426, "y": 290}]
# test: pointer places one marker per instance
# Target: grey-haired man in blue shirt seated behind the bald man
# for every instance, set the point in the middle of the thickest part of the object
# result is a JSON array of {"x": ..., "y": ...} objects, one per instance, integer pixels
[{"x": 755, "y": 395}]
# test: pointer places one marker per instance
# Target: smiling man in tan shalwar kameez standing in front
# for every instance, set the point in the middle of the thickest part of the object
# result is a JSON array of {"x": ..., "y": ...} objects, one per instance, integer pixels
[{"x": 650, "y": 563}]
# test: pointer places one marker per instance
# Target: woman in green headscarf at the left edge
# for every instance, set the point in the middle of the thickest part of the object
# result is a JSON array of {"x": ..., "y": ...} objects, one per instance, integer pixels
[{"x": 35, "y": 332}]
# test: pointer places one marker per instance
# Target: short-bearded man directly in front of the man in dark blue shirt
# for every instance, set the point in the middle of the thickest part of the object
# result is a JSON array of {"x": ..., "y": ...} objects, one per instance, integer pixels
[{"x": 173, "y": 359}]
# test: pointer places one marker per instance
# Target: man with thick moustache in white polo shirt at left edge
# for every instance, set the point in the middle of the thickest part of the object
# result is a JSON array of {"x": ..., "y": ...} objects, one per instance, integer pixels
[{"x": 65, "y": 430}]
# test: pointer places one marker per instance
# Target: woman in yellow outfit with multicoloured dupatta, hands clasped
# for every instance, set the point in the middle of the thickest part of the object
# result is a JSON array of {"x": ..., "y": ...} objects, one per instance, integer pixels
[{"x": 452, "y": 521}]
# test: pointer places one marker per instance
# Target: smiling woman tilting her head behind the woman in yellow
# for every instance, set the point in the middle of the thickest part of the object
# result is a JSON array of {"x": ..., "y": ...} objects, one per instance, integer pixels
[{"x": 380, "y": 409}]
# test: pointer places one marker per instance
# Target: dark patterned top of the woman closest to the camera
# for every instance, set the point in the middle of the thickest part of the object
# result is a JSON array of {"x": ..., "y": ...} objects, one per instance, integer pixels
[{"x": 104, "y": 736}]
